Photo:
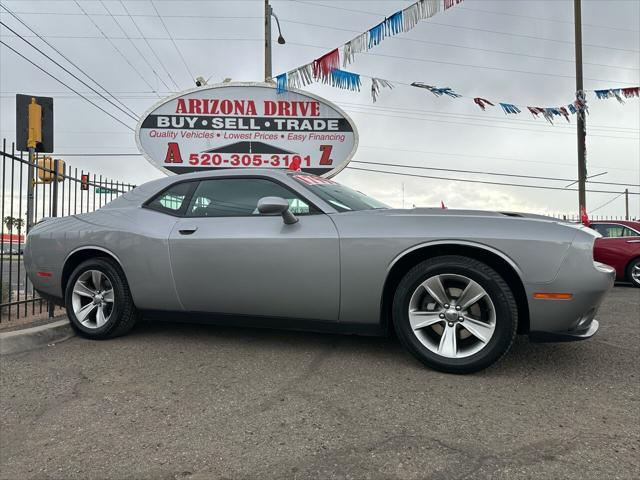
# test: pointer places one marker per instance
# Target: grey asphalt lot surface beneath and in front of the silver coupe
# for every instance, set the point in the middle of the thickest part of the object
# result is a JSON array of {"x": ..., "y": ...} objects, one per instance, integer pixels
[{"x": 175, "y": 401}]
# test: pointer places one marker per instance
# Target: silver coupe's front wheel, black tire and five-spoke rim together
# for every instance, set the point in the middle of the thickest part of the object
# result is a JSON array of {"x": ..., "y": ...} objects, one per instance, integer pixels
[{"x": 455, "y": 314}]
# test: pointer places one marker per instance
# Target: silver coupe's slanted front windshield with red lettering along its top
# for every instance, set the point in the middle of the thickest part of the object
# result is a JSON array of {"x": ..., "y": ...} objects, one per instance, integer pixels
[{"x": 342, "y": 198}]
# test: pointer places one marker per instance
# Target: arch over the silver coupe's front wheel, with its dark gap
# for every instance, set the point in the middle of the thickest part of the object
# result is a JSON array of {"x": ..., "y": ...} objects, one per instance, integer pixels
[{"x": 497, "y": 260}]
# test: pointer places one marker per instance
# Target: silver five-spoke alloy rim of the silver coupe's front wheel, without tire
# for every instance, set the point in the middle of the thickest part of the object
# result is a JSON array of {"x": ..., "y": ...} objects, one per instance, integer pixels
[{"x": 452, "y": 315}]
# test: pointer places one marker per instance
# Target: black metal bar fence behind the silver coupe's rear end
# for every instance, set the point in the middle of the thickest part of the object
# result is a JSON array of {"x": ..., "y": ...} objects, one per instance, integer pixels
[{"x": 65, "y": 192}]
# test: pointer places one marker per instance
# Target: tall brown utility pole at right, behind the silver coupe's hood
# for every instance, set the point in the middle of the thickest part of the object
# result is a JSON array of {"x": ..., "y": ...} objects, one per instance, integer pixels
[{"x": 582, "y": 132}]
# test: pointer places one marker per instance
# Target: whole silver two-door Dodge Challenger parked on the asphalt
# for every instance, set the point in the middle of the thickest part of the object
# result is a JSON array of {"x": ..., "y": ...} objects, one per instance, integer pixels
[{"x": 284, "y": 249}]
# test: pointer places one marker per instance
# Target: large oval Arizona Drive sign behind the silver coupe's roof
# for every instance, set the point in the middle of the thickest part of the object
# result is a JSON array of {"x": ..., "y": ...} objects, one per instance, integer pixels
[{"x": 246, "y": 125}]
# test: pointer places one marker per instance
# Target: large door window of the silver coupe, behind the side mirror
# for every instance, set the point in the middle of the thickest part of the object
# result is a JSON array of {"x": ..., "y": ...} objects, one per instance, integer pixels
[{"x": 238, "y": 197}]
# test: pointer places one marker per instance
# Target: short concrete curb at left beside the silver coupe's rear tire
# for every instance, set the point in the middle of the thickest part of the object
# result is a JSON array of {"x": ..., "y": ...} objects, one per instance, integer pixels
[{"x": 29, "y": 338}]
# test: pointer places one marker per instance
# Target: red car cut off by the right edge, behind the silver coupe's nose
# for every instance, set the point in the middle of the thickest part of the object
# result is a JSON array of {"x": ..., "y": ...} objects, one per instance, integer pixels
[{"x": 619, "y": 247}]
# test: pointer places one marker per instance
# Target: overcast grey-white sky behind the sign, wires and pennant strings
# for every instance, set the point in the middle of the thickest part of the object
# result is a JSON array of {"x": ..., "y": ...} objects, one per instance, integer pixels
[{"x": 518, "y": 52}]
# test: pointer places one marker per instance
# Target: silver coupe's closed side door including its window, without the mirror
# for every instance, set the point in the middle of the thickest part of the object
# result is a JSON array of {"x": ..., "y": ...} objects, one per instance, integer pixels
[{"x": 228, "y": 258}]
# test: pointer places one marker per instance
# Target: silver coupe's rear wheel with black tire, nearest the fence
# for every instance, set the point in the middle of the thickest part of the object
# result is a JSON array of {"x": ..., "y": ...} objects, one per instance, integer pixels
[{"x": 98, "y": 300}]
